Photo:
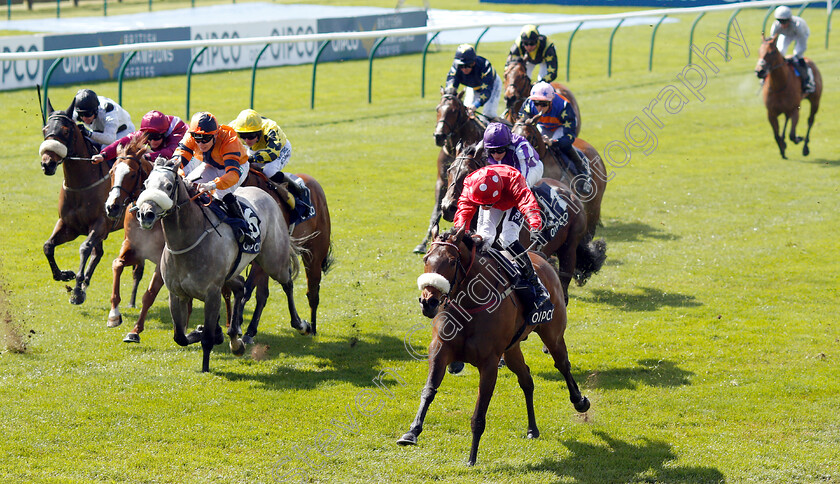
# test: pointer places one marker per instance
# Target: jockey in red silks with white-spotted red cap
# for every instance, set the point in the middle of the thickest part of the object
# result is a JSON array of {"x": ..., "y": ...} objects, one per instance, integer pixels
[{"x": 497, "y": 190}]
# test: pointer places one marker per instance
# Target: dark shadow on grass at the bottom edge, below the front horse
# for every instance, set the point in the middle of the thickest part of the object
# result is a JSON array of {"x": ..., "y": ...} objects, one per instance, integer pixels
[{"x": 620, "y": 461}]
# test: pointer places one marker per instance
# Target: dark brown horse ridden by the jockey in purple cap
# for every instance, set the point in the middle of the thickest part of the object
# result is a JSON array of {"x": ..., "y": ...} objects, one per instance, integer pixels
[{"x": 577, "y": 258}]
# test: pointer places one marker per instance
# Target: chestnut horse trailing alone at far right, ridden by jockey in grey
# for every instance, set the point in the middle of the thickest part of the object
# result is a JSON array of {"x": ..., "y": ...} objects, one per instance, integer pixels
[{"x": 782, "y": 92}]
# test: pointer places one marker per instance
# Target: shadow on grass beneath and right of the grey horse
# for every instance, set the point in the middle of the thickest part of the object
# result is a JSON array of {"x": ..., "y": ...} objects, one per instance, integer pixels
[{"x": 348, "y": 360}]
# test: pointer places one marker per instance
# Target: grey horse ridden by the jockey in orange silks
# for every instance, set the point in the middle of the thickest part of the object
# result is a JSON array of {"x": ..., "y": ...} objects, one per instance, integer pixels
[{"x": 202, "y": 256}]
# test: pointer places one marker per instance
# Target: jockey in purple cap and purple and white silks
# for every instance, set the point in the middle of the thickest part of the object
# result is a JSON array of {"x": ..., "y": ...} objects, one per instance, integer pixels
[{"x": 506, "y": 148}]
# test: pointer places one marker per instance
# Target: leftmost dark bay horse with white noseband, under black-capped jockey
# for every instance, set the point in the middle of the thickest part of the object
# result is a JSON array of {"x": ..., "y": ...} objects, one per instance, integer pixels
[{"x": 81, "y": 200}]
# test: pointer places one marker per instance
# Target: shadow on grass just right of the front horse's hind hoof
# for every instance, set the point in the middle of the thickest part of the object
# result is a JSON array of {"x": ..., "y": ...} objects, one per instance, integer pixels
[{"x": 649, "y": 372}]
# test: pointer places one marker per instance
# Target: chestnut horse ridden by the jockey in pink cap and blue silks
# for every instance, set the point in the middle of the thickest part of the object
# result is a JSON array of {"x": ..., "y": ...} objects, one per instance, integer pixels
[{"x": 554, "y": 168}]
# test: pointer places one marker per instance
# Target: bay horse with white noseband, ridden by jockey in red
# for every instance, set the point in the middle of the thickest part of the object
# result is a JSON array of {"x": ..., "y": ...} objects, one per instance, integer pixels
[{"x": 479, "y": 332}]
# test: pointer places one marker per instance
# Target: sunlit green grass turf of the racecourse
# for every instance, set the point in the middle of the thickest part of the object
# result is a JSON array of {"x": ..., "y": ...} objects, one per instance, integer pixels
[{"x": 708, "y": 344}]
